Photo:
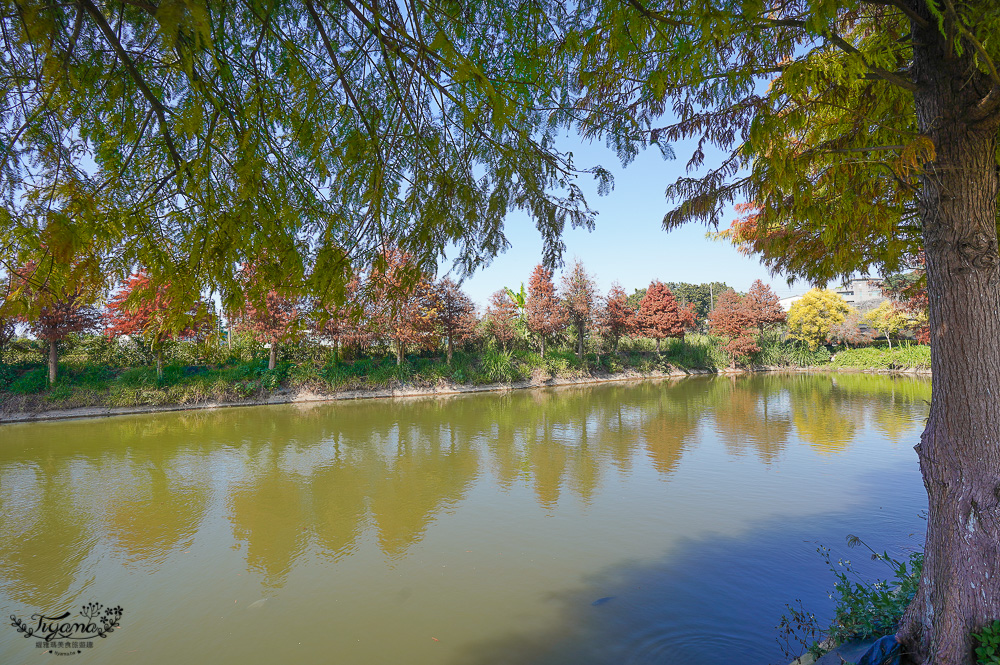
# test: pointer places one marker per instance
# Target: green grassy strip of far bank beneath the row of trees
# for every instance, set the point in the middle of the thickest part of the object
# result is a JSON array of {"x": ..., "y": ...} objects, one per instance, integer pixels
[{"x": 96, "y": 374}]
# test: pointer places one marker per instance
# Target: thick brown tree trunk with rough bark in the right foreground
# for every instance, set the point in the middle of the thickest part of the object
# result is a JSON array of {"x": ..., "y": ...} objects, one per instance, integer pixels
[{"x": 959, "y": 449}]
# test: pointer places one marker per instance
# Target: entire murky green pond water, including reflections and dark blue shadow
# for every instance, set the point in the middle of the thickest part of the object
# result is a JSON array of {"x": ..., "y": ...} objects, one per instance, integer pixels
[{"x": 656, "y": 522}]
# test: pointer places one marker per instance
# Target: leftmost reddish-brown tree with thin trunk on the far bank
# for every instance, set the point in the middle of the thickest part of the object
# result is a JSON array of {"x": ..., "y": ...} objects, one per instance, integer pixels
[{"x": 56, "y": 308}]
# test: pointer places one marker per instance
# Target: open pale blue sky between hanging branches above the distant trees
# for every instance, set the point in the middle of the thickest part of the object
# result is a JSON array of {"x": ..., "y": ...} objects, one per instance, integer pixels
[{"x": 628, "y": 244}]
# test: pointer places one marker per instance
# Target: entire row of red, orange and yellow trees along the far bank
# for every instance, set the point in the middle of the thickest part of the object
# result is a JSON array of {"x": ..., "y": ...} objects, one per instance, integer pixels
[{"x": 395, "y": 304}]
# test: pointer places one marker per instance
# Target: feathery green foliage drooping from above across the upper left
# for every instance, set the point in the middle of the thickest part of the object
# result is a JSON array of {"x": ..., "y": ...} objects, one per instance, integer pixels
[{"x": 429, "y": 128}]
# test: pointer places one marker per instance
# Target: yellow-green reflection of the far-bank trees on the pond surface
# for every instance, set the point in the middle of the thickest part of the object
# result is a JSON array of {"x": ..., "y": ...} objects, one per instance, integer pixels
[{"x": 291, "y": 482}]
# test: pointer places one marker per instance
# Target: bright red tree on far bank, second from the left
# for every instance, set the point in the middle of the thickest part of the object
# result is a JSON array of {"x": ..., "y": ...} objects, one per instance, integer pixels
[{"x": 141, "y": 308}]
